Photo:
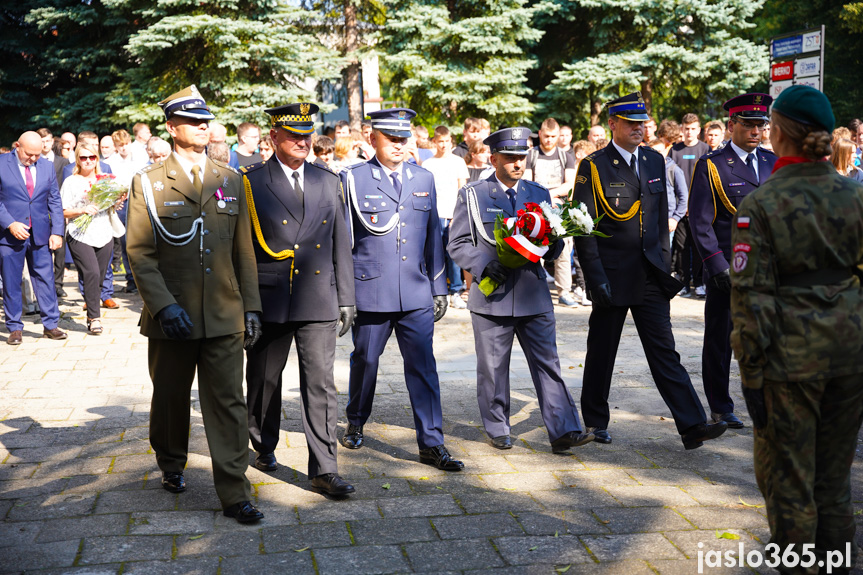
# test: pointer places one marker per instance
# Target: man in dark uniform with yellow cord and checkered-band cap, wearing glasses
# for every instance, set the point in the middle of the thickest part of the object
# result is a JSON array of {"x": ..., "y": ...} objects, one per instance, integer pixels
[{"x": 306, "y": 280}]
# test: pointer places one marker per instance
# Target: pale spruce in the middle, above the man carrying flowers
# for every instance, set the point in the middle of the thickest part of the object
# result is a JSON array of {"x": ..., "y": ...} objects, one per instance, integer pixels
[{"x": 458, "y": 59}]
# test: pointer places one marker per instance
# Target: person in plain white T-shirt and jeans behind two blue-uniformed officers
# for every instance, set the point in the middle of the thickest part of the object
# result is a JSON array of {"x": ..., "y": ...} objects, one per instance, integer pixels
[{"x": 450, "y": 175}]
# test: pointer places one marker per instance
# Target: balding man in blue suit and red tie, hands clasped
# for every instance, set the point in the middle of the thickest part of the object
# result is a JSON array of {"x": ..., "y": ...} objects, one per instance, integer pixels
[{"x": 31, "y": 220}]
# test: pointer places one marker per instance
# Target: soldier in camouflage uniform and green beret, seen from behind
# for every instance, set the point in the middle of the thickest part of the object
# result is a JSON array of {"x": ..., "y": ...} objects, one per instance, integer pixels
[{"x": 797, "y": 308}]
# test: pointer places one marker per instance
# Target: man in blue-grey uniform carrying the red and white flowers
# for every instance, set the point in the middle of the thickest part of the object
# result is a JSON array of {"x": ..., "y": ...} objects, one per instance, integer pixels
[{"x": 520, "y": 306}]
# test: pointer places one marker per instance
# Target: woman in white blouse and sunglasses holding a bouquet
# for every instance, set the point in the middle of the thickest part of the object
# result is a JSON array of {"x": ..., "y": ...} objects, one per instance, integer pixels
[{"x": 92, "y": 225}]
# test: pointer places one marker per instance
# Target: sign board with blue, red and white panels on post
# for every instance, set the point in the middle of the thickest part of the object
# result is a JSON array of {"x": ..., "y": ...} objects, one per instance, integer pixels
[{"x": 797, "y": 58}]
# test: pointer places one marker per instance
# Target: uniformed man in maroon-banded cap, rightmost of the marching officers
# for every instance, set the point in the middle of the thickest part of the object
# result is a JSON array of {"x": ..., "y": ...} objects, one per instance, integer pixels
[{"x": 720, "y": 181}]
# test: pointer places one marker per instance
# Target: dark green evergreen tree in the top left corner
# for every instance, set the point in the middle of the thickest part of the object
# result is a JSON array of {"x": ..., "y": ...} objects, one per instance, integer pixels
[{"x": 63, "y": 58}]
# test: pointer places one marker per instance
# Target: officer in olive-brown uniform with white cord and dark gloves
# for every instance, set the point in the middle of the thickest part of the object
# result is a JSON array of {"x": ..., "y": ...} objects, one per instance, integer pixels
[{"x": 190, "y": 248}]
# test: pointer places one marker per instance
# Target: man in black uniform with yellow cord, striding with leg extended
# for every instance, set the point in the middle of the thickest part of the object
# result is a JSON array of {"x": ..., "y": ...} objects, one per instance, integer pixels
[{"x": 630, "y": 271}]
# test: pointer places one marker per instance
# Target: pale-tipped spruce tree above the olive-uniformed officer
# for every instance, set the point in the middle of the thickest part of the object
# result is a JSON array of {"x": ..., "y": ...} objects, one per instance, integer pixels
[{"x": 244, "y": 56}]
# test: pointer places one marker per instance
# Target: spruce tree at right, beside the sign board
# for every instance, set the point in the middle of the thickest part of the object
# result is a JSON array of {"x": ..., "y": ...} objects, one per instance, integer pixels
[{"x": 683, "y": 56}]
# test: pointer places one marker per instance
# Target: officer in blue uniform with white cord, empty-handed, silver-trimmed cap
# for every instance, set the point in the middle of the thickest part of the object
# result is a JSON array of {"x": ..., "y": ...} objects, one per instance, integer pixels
[{"x": 400, "y": 281}]
